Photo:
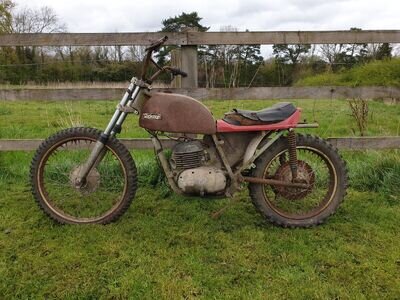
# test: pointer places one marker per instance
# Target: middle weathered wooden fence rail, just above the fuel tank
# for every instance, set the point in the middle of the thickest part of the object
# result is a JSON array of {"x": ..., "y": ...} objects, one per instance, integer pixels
[{"x": 255, "y": 93}]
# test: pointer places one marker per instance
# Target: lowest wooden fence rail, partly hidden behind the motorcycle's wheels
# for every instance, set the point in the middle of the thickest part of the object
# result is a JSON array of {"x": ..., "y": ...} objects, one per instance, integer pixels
[{"x": 346, "y": 143}]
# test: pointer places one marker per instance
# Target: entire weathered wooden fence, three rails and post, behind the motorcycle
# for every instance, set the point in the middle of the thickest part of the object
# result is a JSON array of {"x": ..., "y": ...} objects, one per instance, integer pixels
[{"x": 189, "y": 41}]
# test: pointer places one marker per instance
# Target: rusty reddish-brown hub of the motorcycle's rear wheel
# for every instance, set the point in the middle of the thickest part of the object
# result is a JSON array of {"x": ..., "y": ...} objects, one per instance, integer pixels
[{"x": 305, "y": 174}]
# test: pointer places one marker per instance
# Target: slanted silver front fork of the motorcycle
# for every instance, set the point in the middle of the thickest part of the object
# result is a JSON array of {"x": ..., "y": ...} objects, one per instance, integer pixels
[{"x": 113, "y": 127}]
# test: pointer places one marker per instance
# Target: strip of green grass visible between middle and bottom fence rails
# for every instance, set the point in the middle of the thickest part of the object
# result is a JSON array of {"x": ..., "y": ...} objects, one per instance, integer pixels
[{"x": 38, "y": 119}]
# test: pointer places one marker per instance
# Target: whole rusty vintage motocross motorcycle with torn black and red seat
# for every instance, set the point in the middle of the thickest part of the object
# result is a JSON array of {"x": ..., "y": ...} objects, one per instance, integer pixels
[{"x": 83, "y": 175}]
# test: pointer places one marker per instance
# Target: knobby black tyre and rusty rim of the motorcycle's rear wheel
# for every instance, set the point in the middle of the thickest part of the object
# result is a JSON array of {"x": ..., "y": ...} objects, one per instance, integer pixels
[{"x": 337, "y": 190}]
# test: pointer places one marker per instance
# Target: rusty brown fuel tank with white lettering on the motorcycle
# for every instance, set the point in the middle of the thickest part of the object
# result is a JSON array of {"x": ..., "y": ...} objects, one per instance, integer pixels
[{"x": 176, "y": 113}]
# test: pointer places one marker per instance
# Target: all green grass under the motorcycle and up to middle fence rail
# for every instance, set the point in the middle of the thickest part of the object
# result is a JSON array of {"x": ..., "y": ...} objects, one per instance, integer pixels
[{"x": 168, "y": 246}]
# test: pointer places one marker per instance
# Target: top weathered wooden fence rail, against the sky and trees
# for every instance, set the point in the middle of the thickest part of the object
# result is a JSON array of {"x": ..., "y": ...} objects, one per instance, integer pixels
[{"x": 201, "y": 38}]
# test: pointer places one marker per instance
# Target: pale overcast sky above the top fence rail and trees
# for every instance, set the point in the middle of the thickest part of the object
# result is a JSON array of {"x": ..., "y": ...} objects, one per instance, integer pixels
[{"x": 146, "y": 15}]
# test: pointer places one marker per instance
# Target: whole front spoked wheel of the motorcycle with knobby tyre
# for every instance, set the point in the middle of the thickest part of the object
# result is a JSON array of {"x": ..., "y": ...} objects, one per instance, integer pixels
[{"x": 107, "y": 191}]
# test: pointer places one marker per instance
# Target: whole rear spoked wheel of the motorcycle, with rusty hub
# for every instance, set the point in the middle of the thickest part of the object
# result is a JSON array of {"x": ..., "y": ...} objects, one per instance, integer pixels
[{"x": 319, "y": 167}]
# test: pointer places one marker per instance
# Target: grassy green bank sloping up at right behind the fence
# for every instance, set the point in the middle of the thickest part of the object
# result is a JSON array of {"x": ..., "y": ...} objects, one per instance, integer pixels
[{"x": 380, "y": 73}]
